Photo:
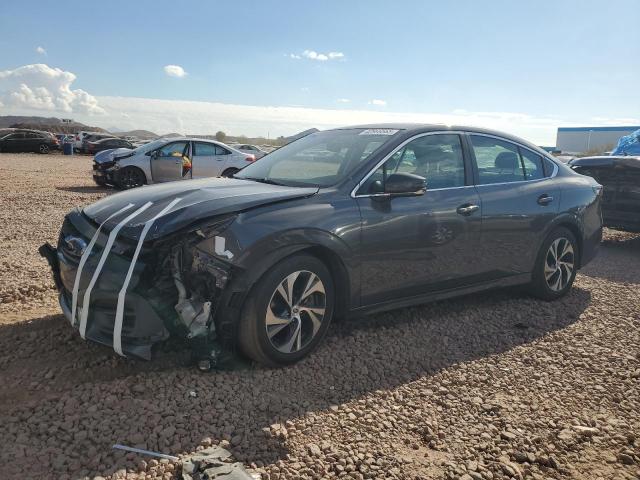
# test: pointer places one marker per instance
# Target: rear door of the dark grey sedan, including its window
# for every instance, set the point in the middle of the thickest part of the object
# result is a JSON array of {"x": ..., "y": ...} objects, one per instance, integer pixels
[{"x": 519, "y": 200}]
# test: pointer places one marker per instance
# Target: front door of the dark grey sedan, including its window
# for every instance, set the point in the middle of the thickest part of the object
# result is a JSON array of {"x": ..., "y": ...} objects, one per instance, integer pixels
[{"x": 420, "y": 244}]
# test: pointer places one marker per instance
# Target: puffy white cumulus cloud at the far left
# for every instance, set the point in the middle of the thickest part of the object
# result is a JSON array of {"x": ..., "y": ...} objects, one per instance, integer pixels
[{"x": 40, "y": 87}]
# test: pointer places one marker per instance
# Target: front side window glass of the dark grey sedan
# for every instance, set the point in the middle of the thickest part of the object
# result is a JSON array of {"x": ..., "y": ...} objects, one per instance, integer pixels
[{"x": 438, "y": 158}]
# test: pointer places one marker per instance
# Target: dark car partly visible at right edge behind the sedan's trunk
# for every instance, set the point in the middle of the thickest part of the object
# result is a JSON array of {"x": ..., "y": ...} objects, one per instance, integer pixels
[{"x": 620, "y": 177}]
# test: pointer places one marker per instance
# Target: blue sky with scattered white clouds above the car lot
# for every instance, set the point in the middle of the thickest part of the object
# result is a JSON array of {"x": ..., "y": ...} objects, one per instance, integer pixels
[{"x": 274, "y": 68}]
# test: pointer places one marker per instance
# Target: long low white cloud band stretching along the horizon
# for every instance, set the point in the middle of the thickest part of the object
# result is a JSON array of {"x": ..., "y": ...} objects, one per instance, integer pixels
[{"x": 190, "y": 117}]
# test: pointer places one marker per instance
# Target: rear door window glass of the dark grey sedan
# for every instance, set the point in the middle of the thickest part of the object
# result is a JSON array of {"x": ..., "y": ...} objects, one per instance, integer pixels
[{"x": 497, "y": 161}]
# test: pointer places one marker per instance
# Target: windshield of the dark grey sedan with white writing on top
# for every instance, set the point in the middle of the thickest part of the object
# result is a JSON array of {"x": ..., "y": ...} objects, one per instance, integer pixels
[{"x": 321, "y": 159}]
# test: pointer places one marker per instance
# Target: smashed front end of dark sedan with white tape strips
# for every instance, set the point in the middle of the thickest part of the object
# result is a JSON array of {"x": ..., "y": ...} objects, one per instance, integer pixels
[{"x": 121, "y": 291}]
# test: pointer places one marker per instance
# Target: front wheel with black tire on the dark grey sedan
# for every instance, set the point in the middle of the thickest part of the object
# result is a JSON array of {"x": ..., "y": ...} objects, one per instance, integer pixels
[{"x": 277, "y": 332}]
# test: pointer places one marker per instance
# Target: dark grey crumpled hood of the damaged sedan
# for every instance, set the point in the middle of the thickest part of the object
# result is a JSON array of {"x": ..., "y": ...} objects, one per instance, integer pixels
[{"x": 193, "y": 201}]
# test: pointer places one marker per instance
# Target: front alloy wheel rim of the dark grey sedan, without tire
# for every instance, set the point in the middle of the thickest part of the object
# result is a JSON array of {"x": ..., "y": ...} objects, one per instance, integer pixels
[{"x": 296, "y": 311}]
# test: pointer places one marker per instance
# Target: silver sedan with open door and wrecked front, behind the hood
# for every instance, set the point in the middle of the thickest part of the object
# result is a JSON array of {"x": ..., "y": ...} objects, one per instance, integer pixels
[{"x": 170, "y": 159}]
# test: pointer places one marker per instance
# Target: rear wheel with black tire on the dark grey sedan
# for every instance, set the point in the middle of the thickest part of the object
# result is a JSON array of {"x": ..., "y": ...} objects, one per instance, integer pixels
[{"x": 556, "y": 265}]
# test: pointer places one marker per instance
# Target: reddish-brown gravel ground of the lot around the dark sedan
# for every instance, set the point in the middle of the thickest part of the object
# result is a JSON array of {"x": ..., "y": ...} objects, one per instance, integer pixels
[{"x": 494, "y": 385}]
